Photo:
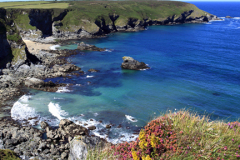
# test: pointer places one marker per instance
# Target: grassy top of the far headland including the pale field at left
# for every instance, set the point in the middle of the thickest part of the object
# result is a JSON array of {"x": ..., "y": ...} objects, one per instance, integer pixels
[{"x": 138, "y": 9}]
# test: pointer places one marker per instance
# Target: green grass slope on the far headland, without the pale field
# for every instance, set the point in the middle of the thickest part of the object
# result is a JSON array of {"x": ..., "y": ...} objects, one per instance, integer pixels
[{"x": 95, "y": 11}]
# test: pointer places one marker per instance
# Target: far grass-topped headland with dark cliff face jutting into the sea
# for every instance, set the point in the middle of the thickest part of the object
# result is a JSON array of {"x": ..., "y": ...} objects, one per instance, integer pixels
[{"x": 85, "y": 19}]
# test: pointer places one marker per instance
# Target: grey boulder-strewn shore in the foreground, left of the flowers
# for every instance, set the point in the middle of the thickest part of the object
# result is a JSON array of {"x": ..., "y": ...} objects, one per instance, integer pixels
[{"x": 68, "y": 141}]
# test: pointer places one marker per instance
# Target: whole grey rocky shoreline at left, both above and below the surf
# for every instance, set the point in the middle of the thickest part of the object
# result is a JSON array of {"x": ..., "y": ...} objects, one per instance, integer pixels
[{"x": 46, "y": 143}]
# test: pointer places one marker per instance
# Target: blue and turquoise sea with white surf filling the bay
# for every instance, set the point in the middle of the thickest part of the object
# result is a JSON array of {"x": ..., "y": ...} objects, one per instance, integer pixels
[{"x": 193, "y": 66}]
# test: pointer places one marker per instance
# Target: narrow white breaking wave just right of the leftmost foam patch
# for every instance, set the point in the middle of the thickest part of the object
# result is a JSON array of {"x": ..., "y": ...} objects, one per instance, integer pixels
[{"x": 55, "y": 110}]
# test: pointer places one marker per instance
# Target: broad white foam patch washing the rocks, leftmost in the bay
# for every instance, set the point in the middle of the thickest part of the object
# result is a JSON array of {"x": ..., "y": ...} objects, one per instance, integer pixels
[{"x": 22, "y": 111}]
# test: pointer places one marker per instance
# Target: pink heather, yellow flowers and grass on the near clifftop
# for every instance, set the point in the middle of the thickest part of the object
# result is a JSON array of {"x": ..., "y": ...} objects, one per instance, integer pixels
[{"x": 181, "y": 135}]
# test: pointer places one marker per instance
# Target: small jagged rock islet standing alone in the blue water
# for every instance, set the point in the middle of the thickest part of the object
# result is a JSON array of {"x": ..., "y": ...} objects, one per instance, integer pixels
[{"x": 130, "y": 63}]
